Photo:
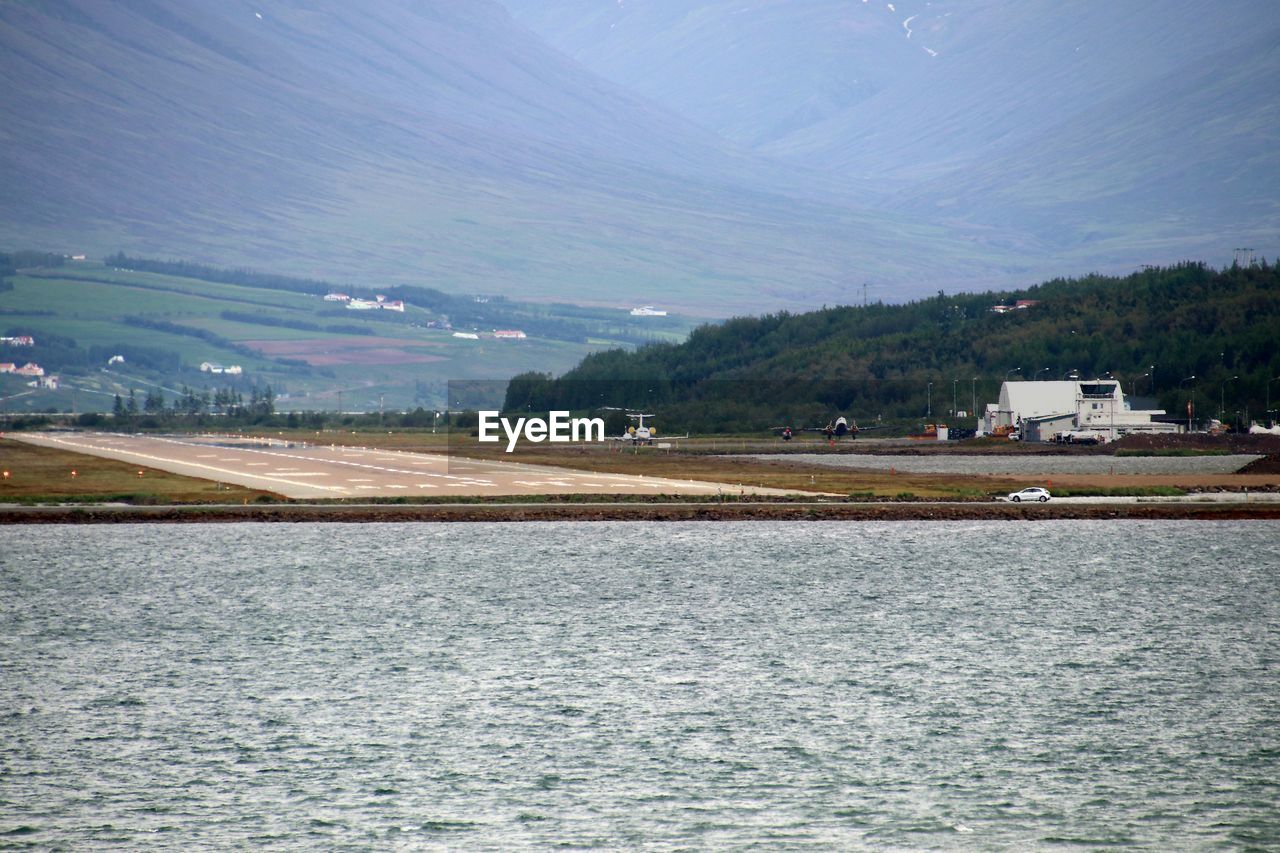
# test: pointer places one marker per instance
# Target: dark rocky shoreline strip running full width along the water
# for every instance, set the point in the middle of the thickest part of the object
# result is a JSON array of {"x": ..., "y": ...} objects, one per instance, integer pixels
[{"x": 673, "y": 512}]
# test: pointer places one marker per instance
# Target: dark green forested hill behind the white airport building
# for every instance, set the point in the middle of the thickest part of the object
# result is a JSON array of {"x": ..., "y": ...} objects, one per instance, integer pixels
[{"x": 1154, "y": 331}]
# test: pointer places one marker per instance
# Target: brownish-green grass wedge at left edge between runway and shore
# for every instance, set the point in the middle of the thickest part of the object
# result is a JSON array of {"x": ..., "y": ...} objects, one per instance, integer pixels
[{"x": 47, "y": 476}]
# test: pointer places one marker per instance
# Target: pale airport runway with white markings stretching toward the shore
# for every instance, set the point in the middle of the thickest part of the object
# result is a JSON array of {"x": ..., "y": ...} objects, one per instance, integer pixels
[{"x": 326, "y": 472}]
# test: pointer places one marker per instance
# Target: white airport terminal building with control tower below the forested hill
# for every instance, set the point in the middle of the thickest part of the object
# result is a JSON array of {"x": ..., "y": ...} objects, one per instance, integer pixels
[{"x": 1075, "y": 410}]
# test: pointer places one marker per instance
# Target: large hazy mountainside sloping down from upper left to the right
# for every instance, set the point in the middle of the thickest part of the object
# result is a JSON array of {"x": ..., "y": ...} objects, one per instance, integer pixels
[{"x": 435, "y": 143}]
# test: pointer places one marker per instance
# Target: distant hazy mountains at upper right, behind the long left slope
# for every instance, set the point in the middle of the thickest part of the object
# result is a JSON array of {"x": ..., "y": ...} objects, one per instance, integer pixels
[{"x": 1094, "y": 135}]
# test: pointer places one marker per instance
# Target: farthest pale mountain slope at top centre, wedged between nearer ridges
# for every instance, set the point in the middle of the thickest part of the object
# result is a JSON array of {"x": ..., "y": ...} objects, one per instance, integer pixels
[{"x": 753, "y": 72}]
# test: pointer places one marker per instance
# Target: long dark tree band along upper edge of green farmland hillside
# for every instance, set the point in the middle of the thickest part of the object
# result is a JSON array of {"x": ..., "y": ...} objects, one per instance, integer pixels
[{"x": 556, "y": 322}]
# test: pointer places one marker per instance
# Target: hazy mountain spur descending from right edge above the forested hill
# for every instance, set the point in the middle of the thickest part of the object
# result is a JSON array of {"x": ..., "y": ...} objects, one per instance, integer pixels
[{"x": 1194, "y": 171}]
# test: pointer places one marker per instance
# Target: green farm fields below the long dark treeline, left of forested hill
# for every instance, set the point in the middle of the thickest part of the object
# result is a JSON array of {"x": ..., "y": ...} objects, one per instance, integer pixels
[{"x": 399, "y": 363}]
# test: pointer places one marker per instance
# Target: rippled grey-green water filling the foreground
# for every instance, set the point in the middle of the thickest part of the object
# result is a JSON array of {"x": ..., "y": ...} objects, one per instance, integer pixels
[{"x": 642, "y": 686}]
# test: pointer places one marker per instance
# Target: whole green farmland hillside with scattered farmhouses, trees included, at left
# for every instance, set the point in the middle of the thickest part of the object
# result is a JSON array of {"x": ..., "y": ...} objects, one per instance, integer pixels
[{"x": 168, "y": 318}]
